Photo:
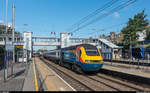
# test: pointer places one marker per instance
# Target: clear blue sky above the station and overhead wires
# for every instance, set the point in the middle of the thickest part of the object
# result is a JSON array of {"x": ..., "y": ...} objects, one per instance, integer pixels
[{"x": 45, "y": 16}]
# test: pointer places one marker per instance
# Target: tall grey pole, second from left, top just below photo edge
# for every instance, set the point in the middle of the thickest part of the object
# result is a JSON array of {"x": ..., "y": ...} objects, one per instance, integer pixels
[{"x": 13, "y": 37}]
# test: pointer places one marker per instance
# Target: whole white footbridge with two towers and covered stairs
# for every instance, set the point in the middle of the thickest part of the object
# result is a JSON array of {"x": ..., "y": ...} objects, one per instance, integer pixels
[{"x": 64, "y": 40}]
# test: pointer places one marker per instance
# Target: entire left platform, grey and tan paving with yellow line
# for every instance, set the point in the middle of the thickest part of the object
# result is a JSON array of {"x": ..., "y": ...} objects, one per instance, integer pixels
[{"x": 33, "y": 76}]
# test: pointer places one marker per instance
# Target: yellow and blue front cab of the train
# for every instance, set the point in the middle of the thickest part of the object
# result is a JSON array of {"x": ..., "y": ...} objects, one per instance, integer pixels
[{"x": 90, "y": 59}]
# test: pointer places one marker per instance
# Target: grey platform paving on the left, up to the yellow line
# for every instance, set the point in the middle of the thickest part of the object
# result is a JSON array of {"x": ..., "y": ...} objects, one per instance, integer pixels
[{"x": 24, "y": 78}]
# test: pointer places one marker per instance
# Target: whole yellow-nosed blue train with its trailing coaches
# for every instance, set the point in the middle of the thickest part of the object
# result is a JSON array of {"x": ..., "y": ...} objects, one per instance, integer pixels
[{"x": 81, "y": 58}]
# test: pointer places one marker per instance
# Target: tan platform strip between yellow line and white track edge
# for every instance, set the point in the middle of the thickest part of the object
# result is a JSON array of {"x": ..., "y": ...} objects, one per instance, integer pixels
[{"x": 50, "y": 78}]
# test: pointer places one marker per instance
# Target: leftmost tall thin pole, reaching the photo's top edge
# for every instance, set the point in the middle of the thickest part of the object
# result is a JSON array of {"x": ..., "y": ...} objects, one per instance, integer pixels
[{"x": 5, "y": 64}]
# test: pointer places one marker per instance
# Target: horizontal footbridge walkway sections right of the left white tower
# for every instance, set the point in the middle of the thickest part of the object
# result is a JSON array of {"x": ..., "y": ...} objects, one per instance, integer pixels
[{"x": 54, "y": 41}]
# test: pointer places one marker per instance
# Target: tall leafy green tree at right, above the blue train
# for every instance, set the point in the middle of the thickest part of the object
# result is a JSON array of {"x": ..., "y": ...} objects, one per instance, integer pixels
[{"x": 134, "y": 25}]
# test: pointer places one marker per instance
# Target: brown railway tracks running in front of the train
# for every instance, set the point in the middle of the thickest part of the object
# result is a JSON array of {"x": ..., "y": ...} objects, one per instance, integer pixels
[{"x": 94, "y": 82}]
